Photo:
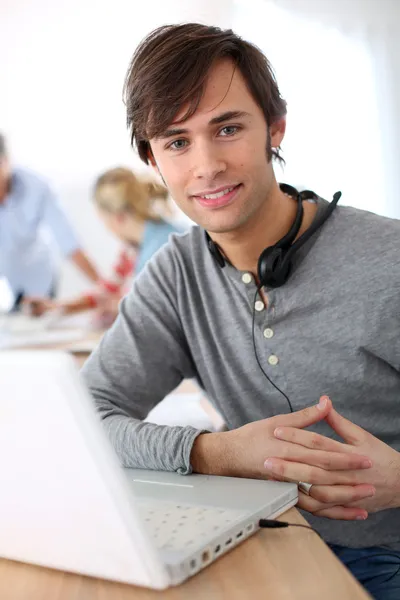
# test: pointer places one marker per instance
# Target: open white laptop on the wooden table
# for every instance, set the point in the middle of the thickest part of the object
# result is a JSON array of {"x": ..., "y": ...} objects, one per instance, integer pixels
[{"x": 66, "y": 503}]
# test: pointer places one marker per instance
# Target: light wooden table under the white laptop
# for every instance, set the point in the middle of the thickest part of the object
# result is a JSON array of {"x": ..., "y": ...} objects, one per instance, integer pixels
[{"x": 276, "y": 564}]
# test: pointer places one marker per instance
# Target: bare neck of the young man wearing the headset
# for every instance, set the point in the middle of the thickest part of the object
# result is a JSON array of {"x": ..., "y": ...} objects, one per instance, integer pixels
[{"x": 243, "y": 247}]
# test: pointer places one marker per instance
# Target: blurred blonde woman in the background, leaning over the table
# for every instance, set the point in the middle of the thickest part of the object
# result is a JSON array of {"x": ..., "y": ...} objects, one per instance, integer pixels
[{"x": 126, "y": 205}]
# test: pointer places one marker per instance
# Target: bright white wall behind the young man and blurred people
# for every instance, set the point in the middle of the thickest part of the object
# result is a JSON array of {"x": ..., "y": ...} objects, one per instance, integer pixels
[{"x": 61, "y": 76}]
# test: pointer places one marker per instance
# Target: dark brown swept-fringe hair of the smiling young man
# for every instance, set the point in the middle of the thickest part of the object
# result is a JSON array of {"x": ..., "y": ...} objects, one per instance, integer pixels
[{"x": 169, "y": 70}]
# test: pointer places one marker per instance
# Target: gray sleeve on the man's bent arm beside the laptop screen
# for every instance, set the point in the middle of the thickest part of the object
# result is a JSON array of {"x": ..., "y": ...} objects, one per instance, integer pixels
[{"x": 139, "y": 361}]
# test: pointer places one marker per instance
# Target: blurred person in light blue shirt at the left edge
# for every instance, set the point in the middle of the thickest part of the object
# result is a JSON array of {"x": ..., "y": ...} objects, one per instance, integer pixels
[{"x": 27, "y": 208}]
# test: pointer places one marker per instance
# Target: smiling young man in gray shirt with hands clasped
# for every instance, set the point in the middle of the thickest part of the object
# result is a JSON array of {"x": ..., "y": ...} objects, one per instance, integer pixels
[{"x": 205, "y": 110}]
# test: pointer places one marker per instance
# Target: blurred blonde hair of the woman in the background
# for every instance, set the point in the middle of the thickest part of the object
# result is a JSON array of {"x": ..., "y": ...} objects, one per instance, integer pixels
[{"x": 120, "y": 190}]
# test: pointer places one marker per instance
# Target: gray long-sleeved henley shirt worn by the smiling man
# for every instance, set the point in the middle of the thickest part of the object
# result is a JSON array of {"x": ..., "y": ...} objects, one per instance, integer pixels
[{"x": 334, "y": 329}]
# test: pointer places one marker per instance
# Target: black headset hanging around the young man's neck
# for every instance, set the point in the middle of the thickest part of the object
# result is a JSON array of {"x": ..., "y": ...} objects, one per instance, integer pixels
[{"x": 275, "y": 262}]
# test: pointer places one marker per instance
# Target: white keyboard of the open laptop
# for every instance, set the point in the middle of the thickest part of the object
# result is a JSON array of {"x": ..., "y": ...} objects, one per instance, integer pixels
[{"x": 182, "y": 527}]
